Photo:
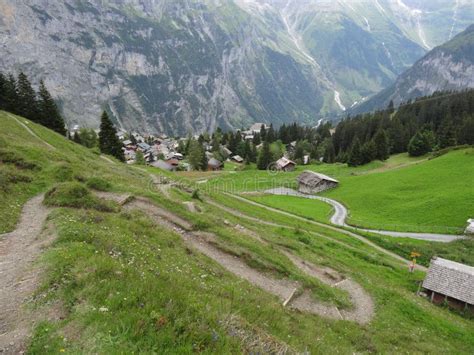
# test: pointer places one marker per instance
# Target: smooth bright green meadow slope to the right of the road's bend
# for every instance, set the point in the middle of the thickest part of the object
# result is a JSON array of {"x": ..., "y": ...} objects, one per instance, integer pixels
[{"x": 426, "y": 197}]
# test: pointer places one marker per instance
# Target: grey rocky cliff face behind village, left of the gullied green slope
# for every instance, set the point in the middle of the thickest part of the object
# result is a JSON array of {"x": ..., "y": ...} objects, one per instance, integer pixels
[{"x": 156, "y": 65}]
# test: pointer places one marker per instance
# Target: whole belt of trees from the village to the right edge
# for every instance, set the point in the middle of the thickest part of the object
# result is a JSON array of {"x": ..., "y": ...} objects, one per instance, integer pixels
[{"x": 418, "y": 127}]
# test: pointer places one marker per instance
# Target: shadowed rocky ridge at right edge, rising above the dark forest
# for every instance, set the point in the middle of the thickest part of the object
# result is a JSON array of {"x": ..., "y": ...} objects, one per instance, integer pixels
[{"x": 445, "y": 68}]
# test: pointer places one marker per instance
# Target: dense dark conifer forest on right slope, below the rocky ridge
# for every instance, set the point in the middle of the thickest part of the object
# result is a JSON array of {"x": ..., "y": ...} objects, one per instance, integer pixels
[{"x": 430, "y": 123}]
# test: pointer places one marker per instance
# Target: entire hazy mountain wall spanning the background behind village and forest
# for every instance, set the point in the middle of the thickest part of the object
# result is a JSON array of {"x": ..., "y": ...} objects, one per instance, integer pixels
[{"x": 179, "y": 66}]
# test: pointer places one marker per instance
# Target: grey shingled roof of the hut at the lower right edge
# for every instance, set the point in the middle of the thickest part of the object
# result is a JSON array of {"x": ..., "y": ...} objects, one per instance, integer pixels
[{"x": 452, "y": 279}]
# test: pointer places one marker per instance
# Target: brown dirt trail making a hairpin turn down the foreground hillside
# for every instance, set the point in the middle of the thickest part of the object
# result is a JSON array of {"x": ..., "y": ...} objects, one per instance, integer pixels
[{"x": 283, "y": 289}]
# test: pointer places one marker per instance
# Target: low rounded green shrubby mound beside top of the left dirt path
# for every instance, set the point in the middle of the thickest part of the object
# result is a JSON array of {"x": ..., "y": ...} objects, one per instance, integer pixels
[{"x": 76, "y": 195}]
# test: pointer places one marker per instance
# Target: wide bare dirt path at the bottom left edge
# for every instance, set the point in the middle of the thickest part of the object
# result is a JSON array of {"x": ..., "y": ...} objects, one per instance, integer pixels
[{"x": 18, "y": 278}]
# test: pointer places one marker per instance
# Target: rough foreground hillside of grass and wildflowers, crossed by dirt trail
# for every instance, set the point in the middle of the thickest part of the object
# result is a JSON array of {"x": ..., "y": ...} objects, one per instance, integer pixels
[{"x": 127, "y": 285}]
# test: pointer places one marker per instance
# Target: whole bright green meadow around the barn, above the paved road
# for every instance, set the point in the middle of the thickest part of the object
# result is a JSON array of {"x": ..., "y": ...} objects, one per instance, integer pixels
[{"x": 424, "y": 194}]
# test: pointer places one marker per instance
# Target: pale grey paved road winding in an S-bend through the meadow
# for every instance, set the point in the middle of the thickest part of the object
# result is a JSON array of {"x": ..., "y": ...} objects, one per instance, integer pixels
[{"x": 340, "y": 215}]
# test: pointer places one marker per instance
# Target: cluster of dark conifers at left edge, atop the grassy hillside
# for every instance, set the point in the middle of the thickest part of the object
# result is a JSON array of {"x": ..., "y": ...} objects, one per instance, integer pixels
[{"x": 18, "y": 97}]
